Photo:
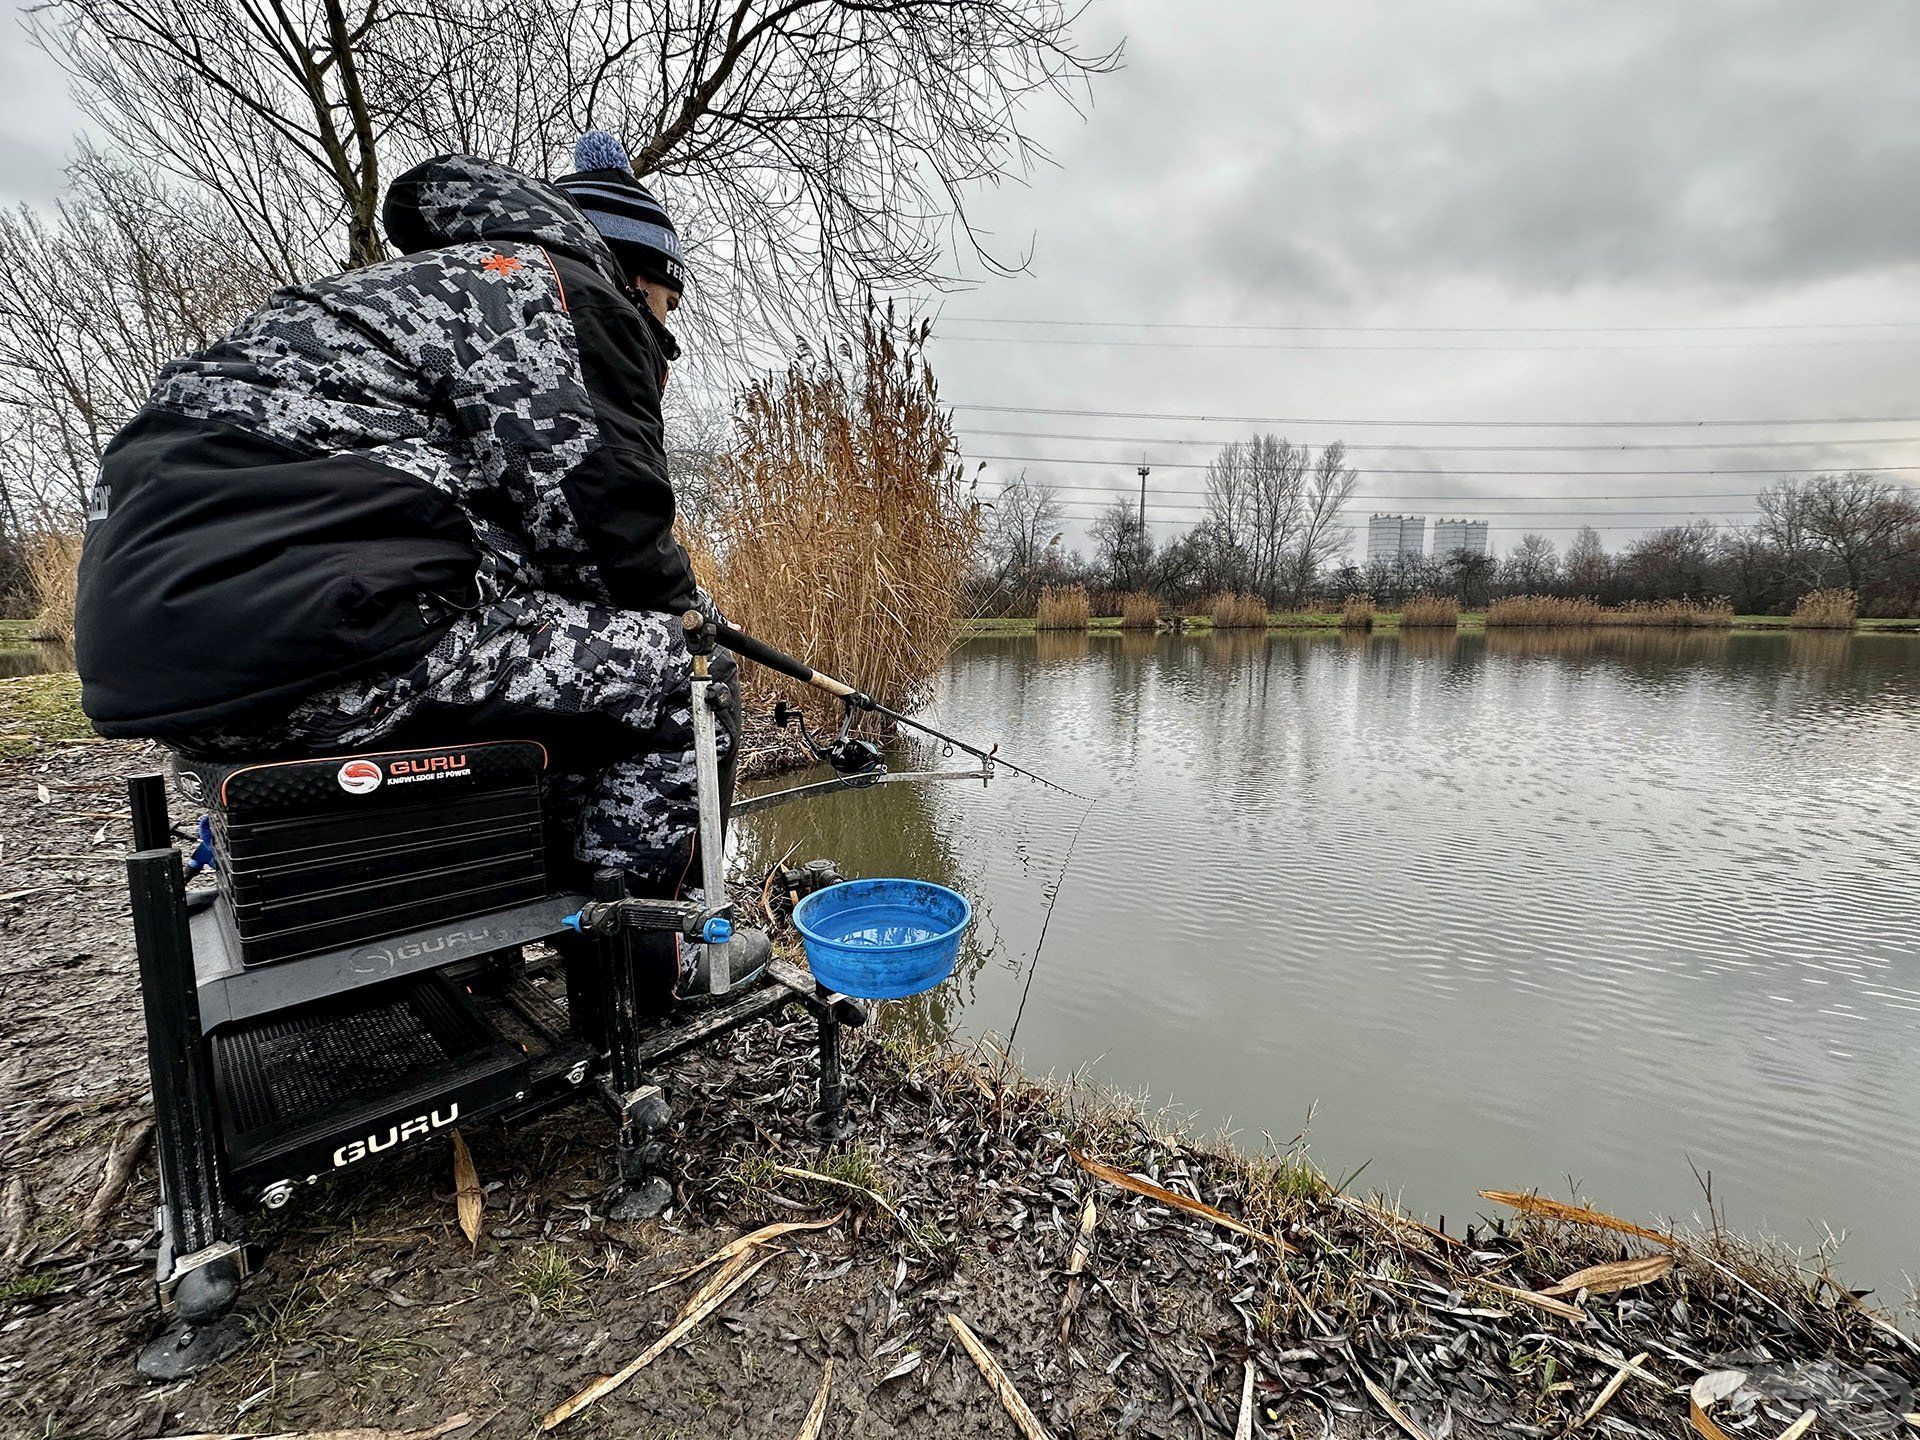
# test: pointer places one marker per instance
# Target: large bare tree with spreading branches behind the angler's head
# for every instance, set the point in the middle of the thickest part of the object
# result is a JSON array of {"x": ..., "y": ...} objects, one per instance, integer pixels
[{"x": 811, "y": 149}]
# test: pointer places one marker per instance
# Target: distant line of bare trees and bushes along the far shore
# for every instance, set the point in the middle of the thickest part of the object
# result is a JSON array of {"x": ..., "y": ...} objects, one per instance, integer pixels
[{"x": 1276, "y": 527}]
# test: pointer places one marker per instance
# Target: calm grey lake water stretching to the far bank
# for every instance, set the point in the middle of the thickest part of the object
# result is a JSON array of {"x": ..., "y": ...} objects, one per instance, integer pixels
[{"x": 1581, "y": 911}]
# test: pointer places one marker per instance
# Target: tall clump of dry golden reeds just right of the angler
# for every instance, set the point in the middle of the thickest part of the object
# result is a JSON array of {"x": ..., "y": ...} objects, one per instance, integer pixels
[{"x": 840, "y": 525}]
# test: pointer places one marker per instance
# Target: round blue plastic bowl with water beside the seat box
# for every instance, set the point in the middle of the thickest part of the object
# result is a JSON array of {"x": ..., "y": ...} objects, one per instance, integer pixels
[{"x": 880, "y": 940}]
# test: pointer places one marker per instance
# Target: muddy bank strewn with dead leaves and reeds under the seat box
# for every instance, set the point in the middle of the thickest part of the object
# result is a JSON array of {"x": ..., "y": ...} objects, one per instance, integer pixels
[{"x": 957, "y": 1197}]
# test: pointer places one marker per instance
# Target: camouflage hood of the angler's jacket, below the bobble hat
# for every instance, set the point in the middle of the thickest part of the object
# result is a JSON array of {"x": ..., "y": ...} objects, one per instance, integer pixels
[{"x": 456, "y": 199}]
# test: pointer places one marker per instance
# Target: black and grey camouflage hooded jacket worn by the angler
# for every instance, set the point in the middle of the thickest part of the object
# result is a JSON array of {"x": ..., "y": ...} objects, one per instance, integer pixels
[{"x": 366, "y": 456}]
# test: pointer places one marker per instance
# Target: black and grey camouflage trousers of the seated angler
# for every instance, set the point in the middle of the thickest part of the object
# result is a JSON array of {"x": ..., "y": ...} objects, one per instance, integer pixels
[{"x": 606, "y": 690}]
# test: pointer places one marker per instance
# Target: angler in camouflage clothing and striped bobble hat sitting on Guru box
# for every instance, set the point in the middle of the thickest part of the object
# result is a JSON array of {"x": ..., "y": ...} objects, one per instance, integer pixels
[{"x": 427, "y": 500}]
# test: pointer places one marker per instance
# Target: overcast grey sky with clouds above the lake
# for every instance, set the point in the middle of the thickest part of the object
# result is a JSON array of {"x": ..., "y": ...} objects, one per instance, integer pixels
[{"x": 1468, "y": 164}]
